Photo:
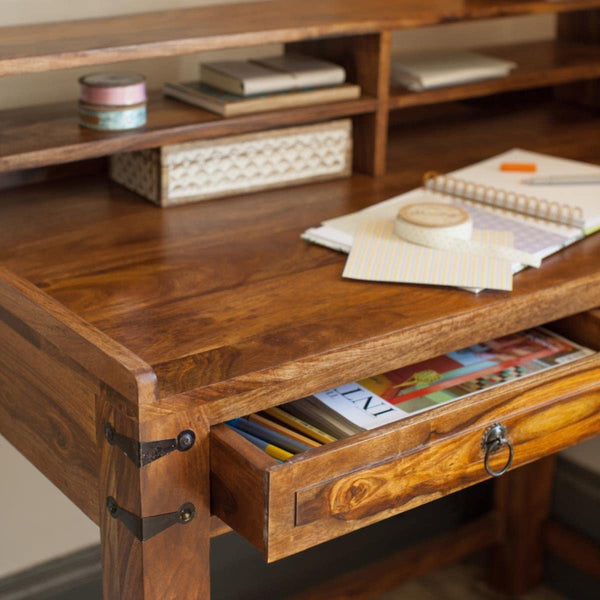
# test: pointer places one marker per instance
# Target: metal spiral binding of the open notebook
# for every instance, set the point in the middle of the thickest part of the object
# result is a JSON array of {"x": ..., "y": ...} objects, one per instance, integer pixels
[{"x": 521, "y": 203}]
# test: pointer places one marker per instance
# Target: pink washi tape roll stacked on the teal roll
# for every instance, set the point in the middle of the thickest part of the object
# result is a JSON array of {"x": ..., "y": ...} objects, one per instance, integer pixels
[{"x": 113, "y": 89}]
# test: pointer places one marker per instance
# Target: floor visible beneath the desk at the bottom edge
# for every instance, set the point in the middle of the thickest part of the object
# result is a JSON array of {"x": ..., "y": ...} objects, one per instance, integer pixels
[{"x": 460, "y": 581}]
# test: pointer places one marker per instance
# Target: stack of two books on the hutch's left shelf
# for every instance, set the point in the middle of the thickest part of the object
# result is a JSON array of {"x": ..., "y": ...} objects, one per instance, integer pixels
[{"x": 237, "y": 87}]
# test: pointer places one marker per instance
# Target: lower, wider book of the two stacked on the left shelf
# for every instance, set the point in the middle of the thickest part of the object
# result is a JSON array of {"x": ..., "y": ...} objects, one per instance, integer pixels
[{"x": 230, "y": 105}]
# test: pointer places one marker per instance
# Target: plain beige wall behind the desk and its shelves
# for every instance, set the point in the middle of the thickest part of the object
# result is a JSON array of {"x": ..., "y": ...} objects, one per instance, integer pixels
[{"x": 37, "y": 522}]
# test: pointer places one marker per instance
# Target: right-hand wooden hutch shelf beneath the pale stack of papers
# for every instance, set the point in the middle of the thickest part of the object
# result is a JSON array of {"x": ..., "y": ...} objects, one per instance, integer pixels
[{"x": 539, "y": 64}]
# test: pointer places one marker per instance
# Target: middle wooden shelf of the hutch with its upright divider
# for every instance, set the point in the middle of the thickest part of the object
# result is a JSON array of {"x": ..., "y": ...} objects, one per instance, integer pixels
[{"x": 50, "y": 134}]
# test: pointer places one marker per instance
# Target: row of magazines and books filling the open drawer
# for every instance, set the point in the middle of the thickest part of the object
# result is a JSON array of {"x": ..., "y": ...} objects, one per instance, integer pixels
[{"x": 351, "y": 408}]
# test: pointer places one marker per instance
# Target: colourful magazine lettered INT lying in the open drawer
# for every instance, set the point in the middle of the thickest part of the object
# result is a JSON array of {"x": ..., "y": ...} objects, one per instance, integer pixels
[{"x": 397, "y": 394}]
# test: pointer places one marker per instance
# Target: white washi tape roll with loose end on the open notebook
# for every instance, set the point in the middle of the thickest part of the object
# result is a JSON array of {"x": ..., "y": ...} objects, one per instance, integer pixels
[{"x": 448, "y": 227}]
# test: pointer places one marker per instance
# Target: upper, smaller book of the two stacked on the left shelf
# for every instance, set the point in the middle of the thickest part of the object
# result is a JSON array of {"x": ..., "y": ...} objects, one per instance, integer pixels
[{"x": 281, "y": 73}]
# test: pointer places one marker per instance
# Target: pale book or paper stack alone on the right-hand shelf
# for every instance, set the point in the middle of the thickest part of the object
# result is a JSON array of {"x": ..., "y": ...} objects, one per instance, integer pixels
[{"x": 421, "y": 71}]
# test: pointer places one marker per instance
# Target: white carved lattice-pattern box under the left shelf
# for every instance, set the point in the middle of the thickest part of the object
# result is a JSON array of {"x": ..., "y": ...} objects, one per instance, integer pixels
[{"x": 231, "y": 165}]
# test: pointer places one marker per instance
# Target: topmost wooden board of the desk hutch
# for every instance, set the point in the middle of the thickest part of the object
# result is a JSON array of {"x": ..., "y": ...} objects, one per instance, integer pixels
[{"x": 34, "y": 48}]
